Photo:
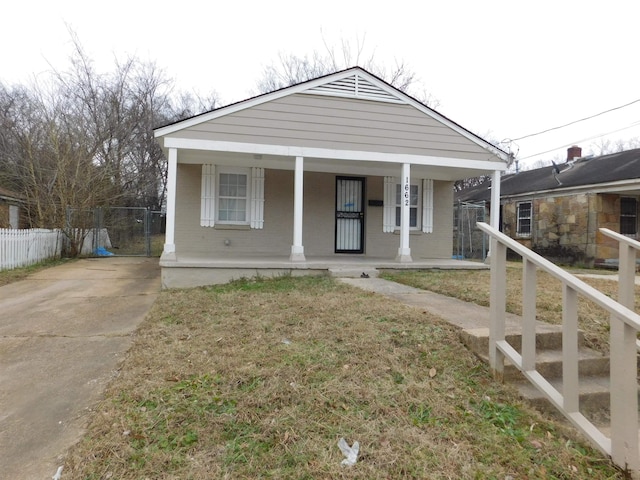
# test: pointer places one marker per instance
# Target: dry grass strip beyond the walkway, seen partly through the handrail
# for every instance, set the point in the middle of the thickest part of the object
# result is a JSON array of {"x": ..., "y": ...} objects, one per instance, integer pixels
[{"x": 473, "y": 286}]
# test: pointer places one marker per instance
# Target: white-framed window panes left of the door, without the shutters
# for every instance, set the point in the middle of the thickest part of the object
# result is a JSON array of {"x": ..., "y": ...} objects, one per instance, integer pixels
[{"x": 233, "y": 197}]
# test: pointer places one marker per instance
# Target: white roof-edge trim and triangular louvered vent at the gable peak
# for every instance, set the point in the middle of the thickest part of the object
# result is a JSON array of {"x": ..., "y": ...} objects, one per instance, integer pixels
[{"x": 353, "y": 82}]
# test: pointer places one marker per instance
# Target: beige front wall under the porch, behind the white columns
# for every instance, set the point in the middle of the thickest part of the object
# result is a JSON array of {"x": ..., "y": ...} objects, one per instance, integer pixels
[{"x": 319, "y": 227}]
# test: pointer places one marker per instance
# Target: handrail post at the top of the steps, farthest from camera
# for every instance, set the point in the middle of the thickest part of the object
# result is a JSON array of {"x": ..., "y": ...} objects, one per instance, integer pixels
[{"x": 497, "y": 306}]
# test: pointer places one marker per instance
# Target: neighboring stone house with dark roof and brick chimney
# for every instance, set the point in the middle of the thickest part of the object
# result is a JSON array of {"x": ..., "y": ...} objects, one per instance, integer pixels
[{"x": 557, "y": 210}]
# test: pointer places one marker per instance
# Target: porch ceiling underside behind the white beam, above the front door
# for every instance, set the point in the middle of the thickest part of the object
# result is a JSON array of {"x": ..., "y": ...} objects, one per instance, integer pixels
[{"x": 328, "y": 165}]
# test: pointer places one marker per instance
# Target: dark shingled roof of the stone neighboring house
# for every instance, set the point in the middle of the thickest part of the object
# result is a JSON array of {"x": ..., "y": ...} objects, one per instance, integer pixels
[{"x": 586, "y": 172}]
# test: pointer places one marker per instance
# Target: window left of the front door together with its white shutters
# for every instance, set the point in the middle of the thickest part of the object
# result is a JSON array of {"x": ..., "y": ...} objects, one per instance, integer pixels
[{"x": 232, "y": 196}]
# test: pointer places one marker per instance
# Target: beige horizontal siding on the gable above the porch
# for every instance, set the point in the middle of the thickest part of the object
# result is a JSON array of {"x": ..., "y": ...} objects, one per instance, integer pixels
[{"x": 339, "y": 123}]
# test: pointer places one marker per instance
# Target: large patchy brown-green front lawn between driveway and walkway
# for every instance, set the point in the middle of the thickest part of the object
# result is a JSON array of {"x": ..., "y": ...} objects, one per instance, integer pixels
[{"x": 260, "y": 379}]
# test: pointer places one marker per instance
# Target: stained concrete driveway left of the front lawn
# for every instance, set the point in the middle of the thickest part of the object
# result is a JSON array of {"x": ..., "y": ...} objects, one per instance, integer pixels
[{"x": 63, "y": 333}]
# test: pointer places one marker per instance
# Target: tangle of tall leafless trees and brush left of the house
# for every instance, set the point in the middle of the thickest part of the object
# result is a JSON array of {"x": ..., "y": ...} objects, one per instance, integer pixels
[{"x": 81, "y": 139}]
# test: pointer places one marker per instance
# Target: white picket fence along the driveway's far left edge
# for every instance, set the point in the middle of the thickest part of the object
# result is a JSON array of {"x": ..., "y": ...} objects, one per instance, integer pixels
[{"x": 20, "y": 248}]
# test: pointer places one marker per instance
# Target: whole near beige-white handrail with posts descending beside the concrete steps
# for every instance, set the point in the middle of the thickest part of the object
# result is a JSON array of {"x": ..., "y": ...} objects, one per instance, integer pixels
[{"x": 622, "y": 444}]
